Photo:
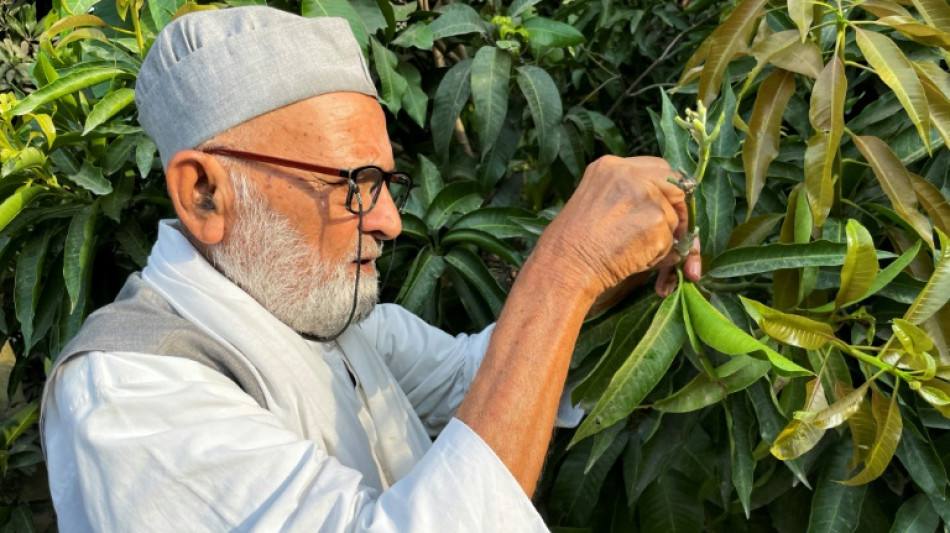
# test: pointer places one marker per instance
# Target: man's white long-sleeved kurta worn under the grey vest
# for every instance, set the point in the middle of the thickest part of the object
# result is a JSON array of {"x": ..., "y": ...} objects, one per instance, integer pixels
[{"x": 141, "y": 442}]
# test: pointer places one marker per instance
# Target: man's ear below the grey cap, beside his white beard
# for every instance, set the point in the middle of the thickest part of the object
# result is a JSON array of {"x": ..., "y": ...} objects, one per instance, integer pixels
[{"x": 201, "y": 192}]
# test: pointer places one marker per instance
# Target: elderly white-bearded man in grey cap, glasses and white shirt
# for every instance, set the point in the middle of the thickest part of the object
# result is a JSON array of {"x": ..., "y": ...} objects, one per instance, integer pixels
[{"x": 246, "y": 380}]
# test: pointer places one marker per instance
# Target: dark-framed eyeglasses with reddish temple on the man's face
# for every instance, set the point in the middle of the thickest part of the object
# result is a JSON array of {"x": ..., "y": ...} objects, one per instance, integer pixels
[{"x": 363, "y": 182}]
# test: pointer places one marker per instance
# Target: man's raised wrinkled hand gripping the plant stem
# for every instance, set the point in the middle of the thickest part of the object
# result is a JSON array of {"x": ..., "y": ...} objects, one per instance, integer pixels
[{"x": 623, "y": 219}]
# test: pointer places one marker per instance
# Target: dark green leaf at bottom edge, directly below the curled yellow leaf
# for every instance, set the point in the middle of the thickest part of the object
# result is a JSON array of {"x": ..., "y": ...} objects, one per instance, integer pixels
[{"x": 835, "y": 507}]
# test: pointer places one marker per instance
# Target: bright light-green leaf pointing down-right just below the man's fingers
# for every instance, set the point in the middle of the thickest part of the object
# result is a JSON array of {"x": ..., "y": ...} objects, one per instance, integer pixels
[{"x": 721, "y": 334}]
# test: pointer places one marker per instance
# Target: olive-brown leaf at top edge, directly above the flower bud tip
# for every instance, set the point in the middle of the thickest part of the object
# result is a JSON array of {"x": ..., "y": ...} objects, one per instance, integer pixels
[{"x": 726, "y": 41}]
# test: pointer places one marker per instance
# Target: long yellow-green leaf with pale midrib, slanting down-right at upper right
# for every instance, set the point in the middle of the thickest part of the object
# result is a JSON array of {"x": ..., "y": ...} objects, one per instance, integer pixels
[{"x": 897, "y": 73}]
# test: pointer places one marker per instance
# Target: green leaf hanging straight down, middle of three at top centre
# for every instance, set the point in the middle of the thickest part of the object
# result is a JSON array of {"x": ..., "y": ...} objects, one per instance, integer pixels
[{"x": 491, "y": 72}]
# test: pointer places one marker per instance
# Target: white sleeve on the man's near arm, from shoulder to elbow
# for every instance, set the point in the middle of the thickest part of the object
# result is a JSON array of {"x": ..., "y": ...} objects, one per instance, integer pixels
[{"x": 139, "y": 442}]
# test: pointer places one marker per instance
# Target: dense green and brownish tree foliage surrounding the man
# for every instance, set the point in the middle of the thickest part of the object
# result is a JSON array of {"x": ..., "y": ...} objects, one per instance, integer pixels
[{"x": 799, "y": 385}]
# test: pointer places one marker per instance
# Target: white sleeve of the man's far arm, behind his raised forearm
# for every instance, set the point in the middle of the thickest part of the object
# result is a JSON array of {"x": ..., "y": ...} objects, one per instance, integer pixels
[{"x": 435, "y": 369}]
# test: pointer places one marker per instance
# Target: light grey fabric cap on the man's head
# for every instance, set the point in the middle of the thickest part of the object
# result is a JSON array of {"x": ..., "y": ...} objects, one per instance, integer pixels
[{"x": 209, "y": 71}]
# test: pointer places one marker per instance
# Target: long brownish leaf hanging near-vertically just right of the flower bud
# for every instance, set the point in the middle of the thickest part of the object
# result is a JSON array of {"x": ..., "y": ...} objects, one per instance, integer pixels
[{"x": 761, "y": 145}]
